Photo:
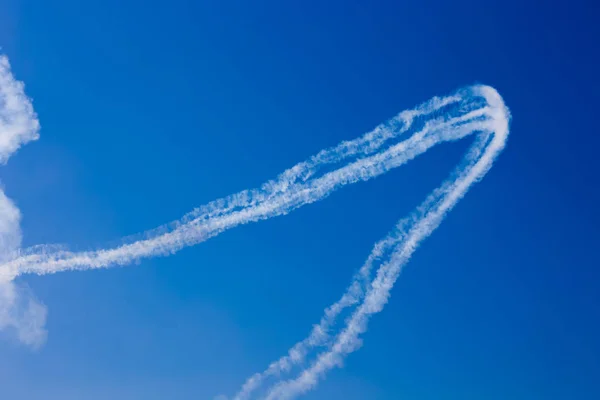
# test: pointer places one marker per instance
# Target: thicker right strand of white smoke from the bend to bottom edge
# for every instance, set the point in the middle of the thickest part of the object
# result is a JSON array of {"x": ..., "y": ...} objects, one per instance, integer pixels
[{"x": 425, "y": 220}]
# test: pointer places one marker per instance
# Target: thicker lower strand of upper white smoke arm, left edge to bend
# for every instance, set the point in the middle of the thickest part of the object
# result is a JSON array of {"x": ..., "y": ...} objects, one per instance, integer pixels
[{"x": 275, "y": 198}]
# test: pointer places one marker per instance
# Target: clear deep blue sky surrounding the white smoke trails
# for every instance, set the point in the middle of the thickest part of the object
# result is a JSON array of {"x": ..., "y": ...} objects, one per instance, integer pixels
[{"x": 149, "y": 109}]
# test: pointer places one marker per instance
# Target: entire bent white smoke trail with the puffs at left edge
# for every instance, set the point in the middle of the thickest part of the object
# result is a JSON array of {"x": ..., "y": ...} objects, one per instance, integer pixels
[{"x": 476, "y": 110}]
